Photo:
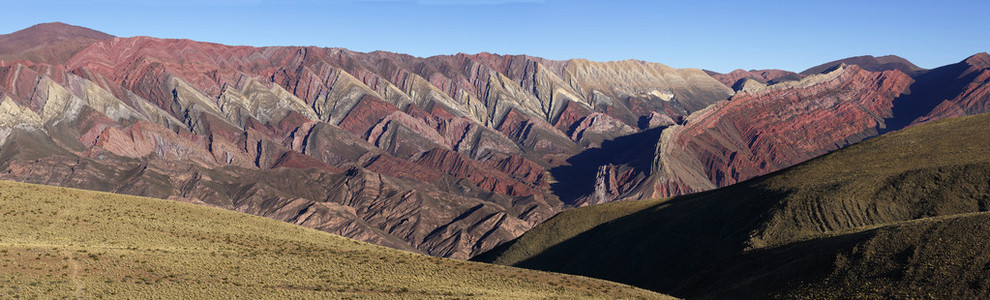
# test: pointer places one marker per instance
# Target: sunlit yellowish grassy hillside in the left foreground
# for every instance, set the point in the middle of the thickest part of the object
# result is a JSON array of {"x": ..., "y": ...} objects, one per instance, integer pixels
[{"x": 59, "y": 242}]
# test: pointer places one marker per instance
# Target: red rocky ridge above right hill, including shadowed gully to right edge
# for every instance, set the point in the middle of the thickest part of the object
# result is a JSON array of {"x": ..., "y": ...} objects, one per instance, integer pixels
[{"x": 762, "y": 129}]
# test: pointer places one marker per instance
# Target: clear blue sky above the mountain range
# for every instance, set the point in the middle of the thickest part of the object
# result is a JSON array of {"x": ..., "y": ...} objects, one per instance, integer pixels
[{"x": 715, "y": 35}]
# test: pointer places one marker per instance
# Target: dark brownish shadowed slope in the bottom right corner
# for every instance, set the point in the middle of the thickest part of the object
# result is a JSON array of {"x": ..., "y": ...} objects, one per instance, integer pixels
[{"x": 936, "y": 258}]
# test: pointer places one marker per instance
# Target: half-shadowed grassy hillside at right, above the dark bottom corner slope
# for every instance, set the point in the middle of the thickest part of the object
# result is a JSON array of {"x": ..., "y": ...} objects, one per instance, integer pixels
[{"x": 936, "y": 169}]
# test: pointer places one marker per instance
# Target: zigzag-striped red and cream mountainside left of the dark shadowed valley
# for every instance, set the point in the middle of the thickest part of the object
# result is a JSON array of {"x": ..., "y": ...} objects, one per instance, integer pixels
[{"x": 444, "y": 155}]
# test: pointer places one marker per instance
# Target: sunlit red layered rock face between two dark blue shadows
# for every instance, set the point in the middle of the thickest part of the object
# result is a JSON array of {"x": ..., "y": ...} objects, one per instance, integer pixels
[{"x": 732, "y": 141}]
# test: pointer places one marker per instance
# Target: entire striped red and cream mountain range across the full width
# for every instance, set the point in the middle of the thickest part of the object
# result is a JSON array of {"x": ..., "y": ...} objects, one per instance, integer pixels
[{"x": 447, "y": 155}]
